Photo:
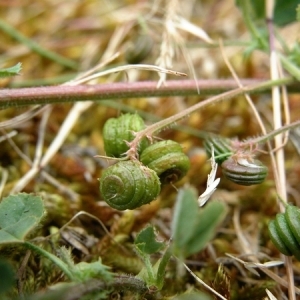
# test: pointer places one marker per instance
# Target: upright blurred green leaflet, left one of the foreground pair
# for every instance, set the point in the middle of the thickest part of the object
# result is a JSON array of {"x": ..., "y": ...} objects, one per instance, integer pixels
[{"x": 185, "y": 217}]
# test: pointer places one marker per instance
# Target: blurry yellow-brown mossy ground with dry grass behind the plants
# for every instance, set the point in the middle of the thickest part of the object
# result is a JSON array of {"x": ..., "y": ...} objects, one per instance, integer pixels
[{"x": 81, "y": 32}]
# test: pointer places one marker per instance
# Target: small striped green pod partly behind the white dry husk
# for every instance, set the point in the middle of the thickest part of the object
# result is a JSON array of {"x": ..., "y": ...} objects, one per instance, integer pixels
[{"x": 222, "y": 149}]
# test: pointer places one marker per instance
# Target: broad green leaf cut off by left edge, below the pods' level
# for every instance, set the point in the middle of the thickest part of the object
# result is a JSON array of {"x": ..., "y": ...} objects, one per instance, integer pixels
[{"x": 18, "y": 215}]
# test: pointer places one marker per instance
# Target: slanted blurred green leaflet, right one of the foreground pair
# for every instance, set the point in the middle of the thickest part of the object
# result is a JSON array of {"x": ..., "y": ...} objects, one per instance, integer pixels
[{"x": 208, "y": 220}]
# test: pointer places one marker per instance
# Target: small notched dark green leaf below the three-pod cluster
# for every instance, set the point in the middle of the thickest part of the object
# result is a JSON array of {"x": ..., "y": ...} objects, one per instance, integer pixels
[{"x": 146, "y": 241}]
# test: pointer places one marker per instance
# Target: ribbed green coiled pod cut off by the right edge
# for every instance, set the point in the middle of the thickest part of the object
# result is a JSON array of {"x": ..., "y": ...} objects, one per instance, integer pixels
[{"x": 284, "y": 231}]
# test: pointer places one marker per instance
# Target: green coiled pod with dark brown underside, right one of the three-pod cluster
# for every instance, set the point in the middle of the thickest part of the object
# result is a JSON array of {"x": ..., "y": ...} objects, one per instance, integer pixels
[{"x": 167, "y": 159}]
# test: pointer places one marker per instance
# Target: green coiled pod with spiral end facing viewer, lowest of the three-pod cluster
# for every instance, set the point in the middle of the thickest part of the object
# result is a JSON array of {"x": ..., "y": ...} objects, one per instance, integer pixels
[{"x": 128, "y": 185}]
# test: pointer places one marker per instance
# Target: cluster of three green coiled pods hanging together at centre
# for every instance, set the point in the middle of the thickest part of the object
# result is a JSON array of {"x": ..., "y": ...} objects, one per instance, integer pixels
[{"x": 128, "y": 184}]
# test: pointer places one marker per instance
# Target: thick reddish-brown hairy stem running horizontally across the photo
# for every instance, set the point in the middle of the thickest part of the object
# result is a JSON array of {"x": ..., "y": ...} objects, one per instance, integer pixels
[{"x": 62, "y": 94}]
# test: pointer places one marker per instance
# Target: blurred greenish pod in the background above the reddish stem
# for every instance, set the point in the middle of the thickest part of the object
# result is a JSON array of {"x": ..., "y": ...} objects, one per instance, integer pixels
[{"x": 139, "y": 49}]
